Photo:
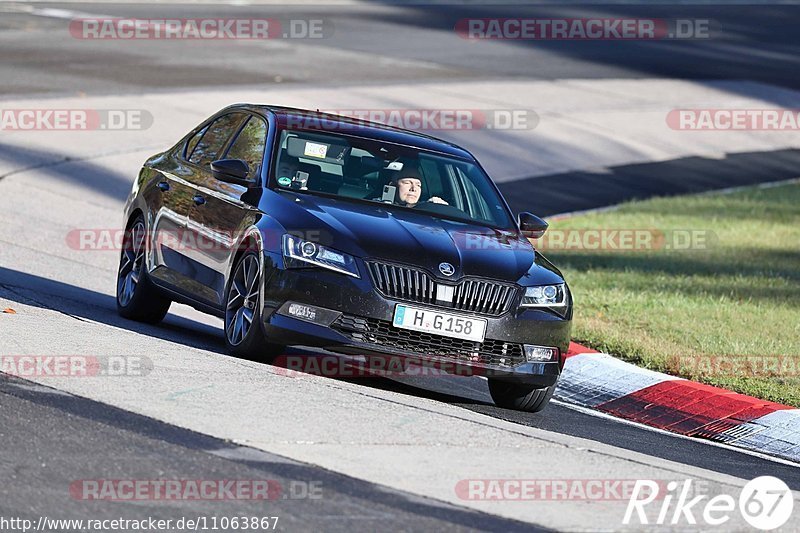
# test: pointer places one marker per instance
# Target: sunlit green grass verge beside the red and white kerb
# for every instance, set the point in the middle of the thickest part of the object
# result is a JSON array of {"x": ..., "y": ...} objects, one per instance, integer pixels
[{"x": 726, "y": 312}]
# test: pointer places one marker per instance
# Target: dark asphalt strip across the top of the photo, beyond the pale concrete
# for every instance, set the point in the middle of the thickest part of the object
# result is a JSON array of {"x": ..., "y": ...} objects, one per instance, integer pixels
[{"x": 375, "y": 42}]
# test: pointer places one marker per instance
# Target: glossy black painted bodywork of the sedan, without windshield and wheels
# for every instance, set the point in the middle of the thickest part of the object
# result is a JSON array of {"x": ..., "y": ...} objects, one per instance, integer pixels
[{"x": 354, "y": 316}]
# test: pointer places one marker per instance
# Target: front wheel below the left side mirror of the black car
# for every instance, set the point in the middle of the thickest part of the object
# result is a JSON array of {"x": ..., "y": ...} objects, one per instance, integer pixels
[{"x": 244, "y": 333}]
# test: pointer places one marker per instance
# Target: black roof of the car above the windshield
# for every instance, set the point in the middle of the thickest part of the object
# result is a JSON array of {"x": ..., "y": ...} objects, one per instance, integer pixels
[{"x": 365, "y": 128}]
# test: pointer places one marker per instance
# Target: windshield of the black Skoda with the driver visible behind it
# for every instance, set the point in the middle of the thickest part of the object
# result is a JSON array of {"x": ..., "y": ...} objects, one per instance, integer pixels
[{"x": 403, "y": 176}]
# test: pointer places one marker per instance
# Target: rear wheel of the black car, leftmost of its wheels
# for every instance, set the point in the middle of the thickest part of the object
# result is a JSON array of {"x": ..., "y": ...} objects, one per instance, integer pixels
[{"x": 137, "y": 298}]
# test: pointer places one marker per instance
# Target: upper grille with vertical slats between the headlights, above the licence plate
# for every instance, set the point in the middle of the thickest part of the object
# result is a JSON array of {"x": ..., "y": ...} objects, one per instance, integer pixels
[{"x": 412, "y": 284}]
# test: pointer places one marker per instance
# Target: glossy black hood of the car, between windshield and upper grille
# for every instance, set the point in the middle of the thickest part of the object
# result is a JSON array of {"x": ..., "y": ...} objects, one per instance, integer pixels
[{"x": 375, "y": 231}]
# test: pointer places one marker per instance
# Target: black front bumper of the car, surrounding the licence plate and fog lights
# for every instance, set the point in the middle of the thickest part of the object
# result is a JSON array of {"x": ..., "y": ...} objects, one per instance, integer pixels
[{"x": 352, "y": 318}]
